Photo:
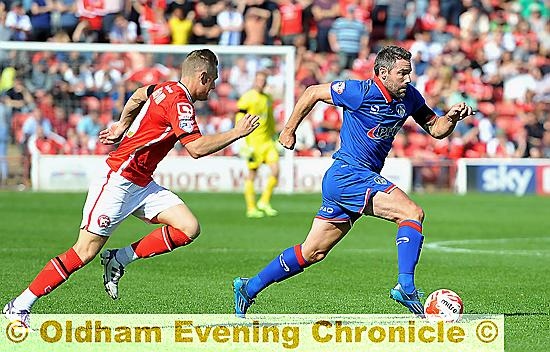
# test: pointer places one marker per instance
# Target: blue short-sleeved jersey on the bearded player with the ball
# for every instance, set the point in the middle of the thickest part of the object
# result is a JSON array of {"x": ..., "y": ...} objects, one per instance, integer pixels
[{"x": 372, "y": 118}]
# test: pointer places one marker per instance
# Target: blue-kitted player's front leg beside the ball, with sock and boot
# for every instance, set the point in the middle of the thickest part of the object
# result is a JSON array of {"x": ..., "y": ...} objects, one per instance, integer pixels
[{"x": 397, "y": 207}]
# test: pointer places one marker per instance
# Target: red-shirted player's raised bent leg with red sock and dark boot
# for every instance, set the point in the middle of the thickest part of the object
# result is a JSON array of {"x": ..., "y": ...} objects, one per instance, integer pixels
[{"x": 179, "y": 228}]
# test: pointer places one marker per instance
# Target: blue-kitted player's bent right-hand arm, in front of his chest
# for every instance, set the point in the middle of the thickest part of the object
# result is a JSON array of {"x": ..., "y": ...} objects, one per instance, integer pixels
[{"x": 441, "y": 126}]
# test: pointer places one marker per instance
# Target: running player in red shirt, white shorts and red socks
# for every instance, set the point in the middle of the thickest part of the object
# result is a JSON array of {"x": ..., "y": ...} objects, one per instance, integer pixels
[{"x": 152, "y": 121}]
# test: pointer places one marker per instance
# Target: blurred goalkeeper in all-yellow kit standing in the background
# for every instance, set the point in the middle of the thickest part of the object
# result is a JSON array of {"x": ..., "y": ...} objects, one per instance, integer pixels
[{"x": 259, "y": 147}]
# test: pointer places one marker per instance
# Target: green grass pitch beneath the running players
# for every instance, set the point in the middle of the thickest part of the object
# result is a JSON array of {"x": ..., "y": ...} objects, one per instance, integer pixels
[{"x": 354, "y": 279}]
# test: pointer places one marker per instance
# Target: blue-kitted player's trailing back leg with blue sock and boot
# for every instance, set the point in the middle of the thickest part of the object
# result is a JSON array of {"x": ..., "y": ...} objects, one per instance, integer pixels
[{"x": 322, "y": 237}]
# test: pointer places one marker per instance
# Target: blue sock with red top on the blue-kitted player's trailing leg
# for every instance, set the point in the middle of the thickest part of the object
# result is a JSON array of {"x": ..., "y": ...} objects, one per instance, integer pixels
[{"x": 287, "y": 264}]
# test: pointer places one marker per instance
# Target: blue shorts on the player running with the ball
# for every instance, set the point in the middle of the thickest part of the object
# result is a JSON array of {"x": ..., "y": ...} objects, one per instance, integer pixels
[{"x": 347, "y": 190}]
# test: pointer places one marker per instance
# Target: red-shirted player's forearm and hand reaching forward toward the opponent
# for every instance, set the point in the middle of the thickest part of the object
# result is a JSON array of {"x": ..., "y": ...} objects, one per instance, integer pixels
[{"x": 206, "y": 145}]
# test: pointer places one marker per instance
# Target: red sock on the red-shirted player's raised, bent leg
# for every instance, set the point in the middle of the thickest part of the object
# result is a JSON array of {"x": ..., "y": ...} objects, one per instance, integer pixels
[{"x": 159, "y": 241}]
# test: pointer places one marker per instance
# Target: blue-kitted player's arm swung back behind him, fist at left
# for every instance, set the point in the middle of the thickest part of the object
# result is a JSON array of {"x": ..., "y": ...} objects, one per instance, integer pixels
[{"x": 312, "y": 94}]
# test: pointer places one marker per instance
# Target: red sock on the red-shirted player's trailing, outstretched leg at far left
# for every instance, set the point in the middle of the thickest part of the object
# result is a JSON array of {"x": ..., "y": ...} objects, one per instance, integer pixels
[{"x": 55, "y": 273}]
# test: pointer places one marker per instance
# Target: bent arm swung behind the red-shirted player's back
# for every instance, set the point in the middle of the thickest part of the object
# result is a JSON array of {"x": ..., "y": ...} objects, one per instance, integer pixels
[{"x": 131, "y": 109}]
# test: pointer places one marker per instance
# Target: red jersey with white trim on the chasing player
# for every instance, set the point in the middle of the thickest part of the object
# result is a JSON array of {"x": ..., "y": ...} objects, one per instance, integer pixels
[{"x": 167, "y": 116}]
